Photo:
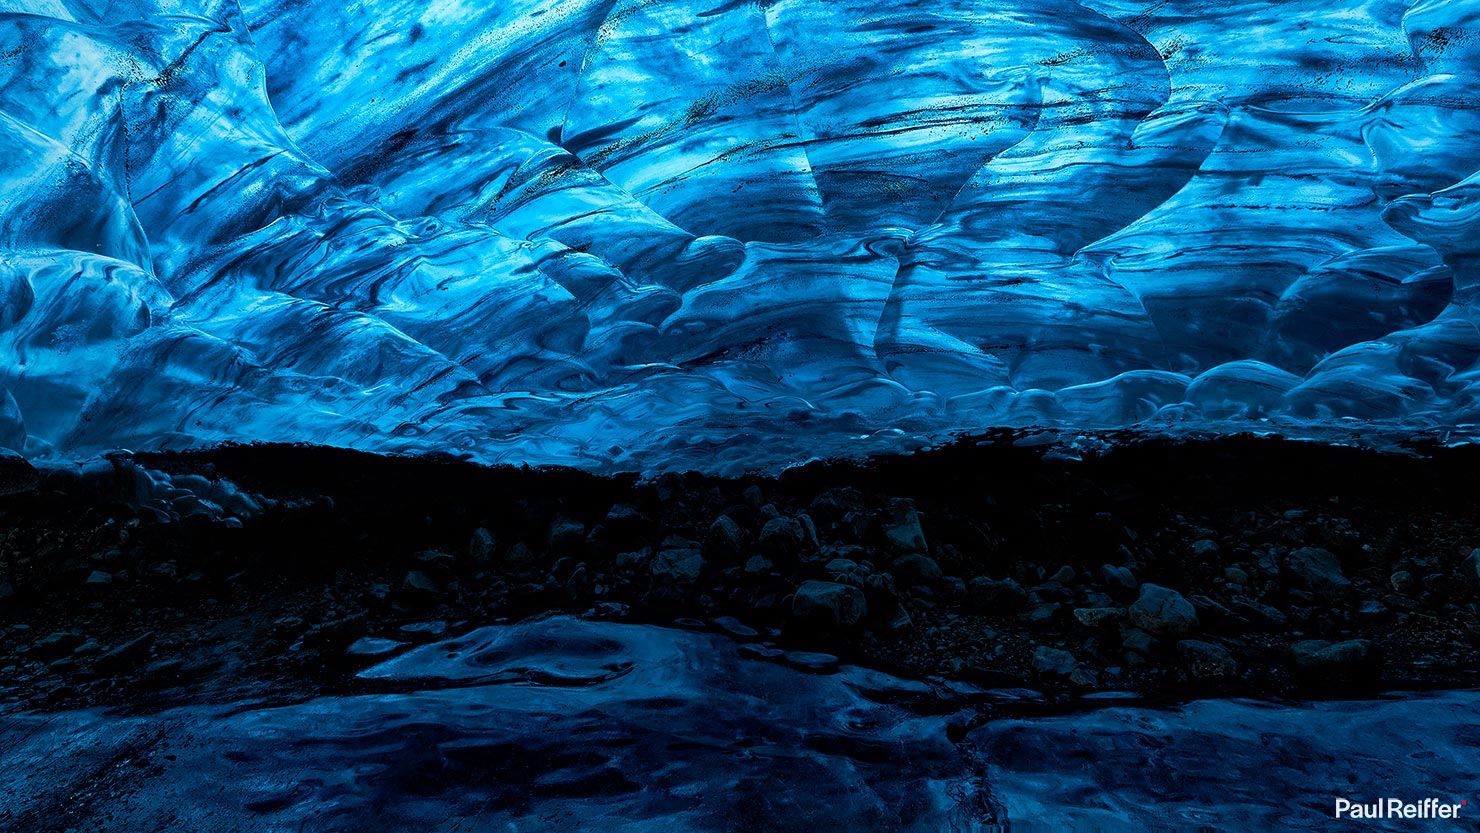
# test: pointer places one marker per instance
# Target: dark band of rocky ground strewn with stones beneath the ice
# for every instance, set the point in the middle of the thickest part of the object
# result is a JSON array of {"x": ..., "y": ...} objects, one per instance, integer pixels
[{"x": 1192, "y": 567}]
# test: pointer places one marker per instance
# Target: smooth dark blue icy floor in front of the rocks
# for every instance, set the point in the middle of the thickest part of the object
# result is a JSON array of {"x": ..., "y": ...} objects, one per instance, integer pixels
[{"x": 572, "y": 726}]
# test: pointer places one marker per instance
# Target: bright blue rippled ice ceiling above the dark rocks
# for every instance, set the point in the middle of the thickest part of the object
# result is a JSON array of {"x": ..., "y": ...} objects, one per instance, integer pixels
[{"x": 643, "y": 235}]
